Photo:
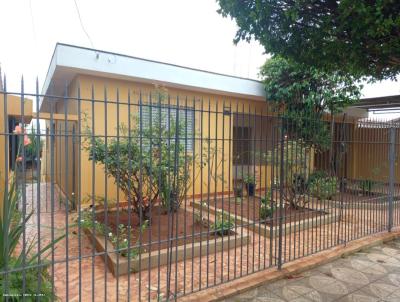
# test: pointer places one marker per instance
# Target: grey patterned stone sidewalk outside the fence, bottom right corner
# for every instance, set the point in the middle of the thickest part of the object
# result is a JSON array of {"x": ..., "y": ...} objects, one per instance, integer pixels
[{"x": 372, "y": 275}]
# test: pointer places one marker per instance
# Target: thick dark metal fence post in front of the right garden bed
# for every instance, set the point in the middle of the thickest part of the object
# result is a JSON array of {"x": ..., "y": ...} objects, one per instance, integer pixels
[{"x": 281, "y": 184}]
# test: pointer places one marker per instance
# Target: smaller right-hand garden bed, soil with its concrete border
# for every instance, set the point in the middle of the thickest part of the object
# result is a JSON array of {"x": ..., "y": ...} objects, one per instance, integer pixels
[{"x": 246, "y": 213}]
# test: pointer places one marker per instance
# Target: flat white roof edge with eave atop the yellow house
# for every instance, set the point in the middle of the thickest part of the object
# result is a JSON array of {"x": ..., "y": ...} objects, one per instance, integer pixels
[{"x": 70, "y": 60}]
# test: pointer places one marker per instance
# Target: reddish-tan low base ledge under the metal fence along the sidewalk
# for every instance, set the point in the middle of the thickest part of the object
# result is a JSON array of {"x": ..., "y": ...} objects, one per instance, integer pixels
[{"x": 258, "y": 279}]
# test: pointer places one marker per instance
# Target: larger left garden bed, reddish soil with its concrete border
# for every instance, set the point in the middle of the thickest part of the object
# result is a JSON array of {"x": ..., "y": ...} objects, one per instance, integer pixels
[{"x": 189, "y": 240}]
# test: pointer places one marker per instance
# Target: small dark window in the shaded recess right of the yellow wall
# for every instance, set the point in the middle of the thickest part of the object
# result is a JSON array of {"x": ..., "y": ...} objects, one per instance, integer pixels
[{"x": 242, "y": 145}]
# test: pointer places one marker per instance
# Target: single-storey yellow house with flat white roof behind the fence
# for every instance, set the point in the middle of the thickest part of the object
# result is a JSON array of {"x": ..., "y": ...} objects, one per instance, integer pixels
[{"x": 239, "y": 102}]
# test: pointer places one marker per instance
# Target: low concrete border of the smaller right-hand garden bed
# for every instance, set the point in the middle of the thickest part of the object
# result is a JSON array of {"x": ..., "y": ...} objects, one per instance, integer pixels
[{"x": 265, "y": 230}]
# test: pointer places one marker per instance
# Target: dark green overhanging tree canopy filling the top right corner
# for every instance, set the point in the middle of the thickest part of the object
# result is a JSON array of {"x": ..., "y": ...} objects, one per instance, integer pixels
[{"x": 360, "y": 38}]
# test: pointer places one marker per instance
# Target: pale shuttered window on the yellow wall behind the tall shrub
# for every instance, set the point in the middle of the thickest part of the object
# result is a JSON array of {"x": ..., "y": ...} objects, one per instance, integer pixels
[{"x": 168, "y": 115}]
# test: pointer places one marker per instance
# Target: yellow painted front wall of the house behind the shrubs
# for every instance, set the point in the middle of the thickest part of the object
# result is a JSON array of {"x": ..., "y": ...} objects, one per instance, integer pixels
[{"x": 210, "y": 123}]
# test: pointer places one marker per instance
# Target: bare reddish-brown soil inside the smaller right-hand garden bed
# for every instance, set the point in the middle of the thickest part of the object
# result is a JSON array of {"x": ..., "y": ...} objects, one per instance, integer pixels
[{"x": 249, "y": 208}]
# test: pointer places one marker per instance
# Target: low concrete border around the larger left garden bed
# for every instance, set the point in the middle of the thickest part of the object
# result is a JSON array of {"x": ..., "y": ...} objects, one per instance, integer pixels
[{"x": 192, "y": 250}]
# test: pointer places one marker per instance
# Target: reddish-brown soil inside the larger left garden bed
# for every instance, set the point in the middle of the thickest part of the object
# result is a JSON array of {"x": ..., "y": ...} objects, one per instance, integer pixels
[{"x": 156, "y": 235}]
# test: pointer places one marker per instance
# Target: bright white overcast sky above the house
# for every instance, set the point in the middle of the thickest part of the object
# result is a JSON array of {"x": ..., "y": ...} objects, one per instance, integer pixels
[{"x": 184, "y": 32}]
